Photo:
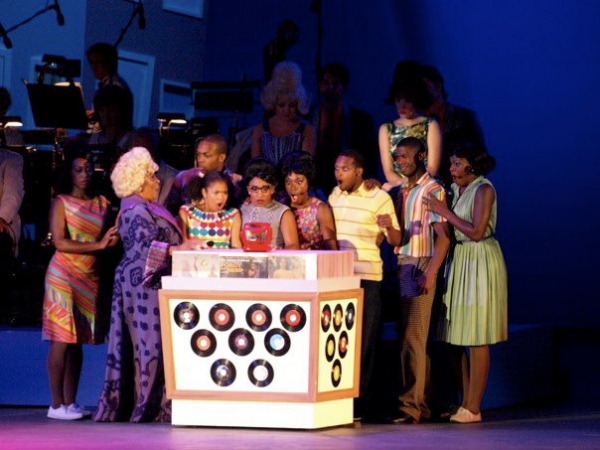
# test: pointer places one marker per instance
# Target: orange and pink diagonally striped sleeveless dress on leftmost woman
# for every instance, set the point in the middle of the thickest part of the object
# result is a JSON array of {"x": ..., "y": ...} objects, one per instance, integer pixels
[{"x": 72, "y": 279}]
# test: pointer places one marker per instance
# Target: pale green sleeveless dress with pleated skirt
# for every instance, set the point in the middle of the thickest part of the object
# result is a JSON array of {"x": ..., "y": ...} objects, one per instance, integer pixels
[{"x": 476, "y": 299}]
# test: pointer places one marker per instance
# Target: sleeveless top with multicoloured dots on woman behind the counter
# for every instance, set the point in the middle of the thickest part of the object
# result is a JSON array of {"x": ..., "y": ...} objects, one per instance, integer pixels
[{"x": 209, "y": 226}]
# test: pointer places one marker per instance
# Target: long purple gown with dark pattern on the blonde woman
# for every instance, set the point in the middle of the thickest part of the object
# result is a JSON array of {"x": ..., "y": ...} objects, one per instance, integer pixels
[{"x": 134, "y": 385}]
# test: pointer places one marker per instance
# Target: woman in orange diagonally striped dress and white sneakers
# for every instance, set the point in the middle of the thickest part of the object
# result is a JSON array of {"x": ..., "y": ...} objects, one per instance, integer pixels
[{"x": 77, "y": 224}]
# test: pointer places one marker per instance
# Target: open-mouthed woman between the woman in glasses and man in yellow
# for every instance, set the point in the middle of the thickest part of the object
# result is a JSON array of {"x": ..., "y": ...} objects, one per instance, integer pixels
[{"x": 314, "y": 219}]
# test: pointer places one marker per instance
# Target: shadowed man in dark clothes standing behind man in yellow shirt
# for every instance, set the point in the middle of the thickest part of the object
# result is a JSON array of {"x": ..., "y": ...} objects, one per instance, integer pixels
[{"x": 340, "y": 126}]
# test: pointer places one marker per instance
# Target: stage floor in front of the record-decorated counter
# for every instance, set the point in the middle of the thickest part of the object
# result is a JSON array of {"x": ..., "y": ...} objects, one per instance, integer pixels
[{"x": 542, "y": 427}]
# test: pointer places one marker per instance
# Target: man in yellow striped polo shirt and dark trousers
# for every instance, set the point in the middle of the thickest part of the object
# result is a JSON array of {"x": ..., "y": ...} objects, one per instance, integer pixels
[{"x": 363, "y": 219}]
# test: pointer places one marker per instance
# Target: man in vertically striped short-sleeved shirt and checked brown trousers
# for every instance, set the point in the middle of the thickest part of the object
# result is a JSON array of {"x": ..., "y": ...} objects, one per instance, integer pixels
[{"x": 425, "y": 241}]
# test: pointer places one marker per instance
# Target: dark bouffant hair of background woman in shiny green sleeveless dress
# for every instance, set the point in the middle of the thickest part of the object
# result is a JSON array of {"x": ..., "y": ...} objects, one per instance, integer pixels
[{"x": 408, "y": 84}]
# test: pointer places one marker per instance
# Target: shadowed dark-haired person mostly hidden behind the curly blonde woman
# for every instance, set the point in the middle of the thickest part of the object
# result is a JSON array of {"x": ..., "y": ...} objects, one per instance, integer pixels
[{"x": 149, "y": 139}]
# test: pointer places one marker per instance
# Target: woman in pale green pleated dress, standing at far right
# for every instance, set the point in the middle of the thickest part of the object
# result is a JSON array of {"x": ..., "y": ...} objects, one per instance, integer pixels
[{"x": 476, "y": 296}]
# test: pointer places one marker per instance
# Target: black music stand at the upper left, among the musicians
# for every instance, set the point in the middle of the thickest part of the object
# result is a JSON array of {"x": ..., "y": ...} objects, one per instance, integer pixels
[{"x": 57, "y": 106}]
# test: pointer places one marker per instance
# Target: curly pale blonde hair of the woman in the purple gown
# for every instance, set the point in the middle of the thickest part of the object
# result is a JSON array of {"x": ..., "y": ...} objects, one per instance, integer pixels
[{"x": 131, "y": 171}]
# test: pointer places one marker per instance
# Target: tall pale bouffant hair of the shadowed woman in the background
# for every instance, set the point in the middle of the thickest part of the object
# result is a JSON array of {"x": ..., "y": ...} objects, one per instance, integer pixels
[{"x": 285, "y": 81}]
